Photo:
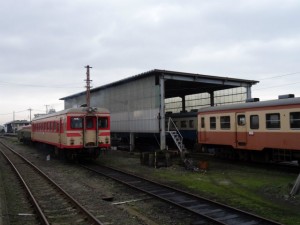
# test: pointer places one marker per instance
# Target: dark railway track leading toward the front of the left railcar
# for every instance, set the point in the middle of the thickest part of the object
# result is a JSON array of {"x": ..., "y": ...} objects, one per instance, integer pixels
[{"x": 210, "y": 210}]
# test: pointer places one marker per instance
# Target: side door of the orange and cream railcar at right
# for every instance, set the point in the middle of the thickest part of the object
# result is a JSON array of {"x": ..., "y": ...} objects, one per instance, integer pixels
[{"x": 241, "y": 130}]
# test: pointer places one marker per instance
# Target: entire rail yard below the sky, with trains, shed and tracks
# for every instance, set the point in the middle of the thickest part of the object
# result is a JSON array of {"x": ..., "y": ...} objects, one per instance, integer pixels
[{"x": 83, "y": 179}]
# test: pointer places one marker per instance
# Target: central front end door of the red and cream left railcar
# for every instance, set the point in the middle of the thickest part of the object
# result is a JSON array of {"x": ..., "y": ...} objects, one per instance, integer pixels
[{"x": 90, "y": 132}]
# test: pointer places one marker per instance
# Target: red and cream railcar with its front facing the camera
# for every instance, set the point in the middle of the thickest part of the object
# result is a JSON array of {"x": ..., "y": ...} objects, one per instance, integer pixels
[{"x": 76, "y": 130}]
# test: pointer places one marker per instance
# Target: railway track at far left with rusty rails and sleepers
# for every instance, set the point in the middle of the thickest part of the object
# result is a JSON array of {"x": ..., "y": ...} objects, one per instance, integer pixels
[{"x": 52, "y": 204}]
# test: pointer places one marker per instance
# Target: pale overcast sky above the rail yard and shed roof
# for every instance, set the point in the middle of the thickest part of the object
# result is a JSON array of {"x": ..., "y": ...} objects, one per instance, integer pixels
[{"x": 45, "y": 44}]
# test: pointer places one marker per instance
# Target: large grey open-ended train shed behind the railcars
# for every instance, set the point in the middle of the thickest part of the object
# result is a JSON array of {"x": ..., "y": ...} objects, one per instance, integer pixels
[{"x": 138, "y": 104}]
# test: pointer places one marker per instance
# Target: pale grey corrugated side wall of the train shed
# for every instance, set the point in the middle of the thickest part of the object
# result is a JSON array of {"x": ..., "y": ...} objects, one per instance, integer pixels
[{"x": 134, "y": 106}]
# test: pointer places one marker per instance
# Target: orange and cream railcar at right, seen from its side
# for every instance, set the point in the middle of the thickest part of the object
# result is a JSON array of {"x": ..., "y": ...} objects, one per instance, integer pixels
[{"x": 269, "y": 127}]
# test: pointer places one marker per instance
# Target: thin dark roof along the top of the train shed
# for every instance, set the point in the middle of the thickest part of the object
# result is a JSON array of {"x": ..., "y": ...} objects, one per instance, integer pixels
[{"x": 164, "y": 72}]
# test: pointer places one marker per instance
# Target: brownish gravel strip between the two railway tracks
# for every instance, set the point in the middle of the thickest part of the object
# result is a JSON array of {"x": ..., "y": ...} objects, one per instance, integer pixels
[{"x": 110, "y": 201}]
